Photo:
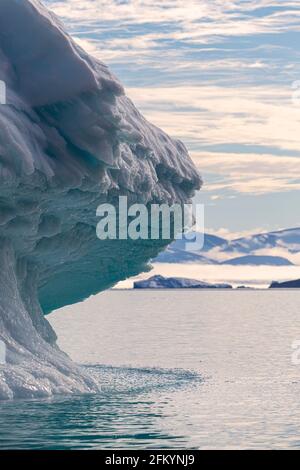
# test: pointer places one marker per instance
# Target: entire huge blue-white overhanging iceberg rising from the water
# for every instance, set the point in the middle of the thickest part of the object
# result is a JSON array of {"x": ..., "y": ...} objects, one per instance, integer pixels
[{"x": 69, "y": 140}]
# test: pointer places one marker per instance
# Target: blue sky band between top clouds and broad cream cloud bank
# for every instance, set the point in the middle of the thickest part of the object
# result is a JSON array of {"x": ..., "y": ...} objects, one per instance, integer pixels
[{"x": 278, "y": 54}]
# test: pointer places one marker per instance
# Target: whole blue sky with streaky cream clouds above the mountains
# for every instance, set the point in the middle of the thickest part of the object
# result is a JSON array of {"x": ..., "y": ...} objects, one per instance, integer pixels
[{"x": 224, "y": 77}]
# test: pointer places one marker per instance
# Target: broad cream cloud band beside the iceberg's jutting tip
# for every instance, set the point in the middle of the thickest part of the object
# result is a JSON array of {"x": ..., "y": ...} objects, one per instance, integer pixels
[{"x": 242, "y": 118}]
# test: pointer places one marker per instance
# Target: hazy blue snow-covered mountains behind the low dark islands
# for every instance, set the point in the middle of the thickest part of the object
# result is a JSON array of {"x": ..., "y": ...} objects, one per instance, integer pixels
[{"x": 276, "y": 248}]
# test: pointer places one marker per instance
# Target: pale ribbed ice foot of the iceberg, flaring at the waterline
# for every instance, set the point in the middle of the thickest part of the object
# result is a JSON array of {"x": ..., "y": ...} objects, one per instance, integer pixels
[{"x": 34, "y": 366}]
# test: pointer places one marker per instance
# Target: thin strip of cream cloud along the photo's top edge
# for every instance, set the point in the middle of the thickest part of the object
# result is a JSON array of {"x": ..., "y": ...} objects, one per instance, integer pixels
[{"x": 185, "y": 12}]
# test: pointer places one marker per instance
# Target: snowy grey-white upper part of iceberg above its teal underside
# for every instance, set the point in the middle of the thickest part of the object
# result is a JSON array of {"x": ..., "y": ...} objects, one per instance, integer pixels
[{"x": 58, "y": 95}]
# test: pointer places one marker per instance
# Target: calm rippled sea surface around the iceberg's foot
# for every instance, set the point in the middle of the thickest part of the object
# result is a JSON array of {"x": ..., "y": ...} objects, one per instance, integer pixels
[{"x": 179, "y": 369}]
